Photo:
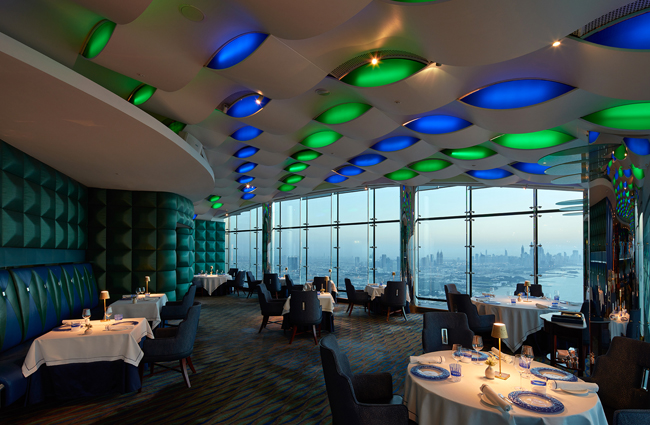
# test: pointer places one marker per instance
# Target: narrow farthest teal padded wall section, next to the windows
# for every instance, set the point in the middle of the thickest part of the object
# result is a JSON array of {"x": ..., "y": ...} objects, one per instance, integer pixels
[{"x": 210, "y": 245}]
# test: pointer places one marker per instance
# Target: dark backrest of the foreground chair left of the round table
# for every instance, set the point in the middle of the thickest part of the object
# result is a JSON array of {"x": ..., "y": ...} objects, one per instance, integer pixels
[{"x": 338, "y": 382}]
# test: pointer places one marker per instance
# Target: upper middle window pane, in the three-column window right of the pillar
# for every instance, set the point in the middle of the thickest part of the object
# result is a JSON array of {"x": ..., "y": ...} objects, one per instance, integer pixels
[{"x": 501, "y": 199}]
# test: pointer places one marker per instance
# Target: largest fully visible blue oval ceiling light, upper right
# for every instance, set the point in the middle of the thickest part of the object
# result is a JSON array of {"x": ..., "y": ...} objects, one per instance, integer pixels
[{"x": 515, "y": 94}]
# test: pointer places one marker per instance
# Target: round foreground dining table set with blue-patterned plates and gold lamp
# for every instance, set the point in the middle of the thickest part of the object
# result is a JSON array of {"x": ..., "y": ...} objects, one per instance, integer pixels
[{"x": 433, "y": 399}]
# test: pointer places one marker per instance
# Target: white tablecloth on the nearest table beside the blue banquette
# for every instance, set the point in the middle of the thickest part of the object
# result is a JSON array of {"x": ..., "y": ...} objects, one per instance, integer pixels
[{"x": 66, "y": 347}]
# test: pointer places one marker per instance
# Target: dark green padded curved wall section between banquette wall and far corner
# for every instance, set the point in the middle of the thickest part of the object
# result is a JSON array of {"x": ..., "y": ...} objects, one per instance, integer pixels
[{"x": 134, "y": 234}]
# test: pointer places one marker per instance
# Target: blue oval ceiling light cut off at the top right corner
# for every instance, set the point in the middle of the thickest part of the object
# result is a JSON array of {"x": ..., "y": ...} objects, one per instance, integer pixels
[{"x": 632, "y": 33}]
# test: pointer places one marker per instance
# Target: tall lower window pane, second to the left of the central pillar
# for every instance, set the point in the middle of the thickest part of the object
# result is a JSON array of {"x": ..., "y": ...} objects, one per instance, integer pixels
[{"x": 353, "y": 255}]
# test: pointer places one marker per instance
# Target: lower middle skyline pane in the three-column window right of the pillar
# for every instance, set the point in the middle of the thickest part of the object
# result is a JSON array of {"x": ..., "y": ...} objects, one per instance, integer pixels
[{"x": 502, "y": 253}]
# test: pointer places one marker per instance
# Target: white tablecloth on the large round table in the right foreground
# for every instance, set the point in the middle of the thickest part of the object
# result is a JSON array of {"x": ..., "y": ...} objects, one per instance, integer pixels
[{"x": 449, "y": 403}]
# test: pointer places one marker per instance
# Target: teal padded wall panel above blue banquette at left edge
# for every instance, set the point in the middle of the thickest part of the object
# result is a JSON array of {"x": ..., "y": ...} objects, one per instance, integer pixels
[{"x": 43, "y": 213}]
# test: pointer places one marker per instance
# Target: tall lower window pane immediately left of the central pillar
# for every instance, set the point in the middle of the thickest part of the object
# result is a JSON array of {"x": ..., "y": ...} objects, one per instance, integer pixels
[{"x": 387, "y": 243}]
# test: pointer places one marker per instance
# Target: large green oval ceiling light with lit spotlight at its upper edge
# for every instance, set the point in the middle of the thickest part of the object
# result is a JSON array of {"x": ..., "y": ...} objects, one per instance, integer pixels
[{"x": 378, "y": 72}]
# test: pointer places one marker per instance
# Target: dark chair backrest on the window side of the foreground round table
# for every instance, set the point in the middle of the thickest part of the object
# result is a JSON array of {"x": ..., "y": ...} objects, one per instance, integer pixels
[{"x": 457, "y": 330}]
